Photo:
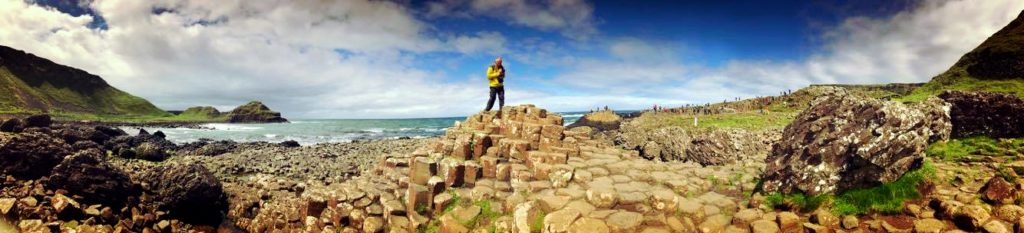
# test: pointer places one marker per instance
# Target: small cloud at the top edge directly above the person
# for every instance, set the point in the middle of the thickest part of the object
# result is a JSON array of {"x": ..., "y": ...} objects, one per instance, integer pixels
[{"x": 574, "y": 19}]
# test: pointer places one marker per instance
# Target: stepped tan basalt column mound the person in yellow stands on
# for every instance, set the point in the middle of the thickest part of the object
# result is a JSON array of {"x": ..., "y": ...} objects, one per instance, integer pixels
[{"x": 511, "y": 172}]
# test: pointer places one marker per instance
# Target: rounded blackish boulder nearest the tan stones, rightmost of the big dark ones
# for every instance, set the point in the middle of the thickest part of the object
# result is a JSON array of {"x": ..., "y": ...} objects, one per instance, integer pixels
[{"x": 190, "y": 193}]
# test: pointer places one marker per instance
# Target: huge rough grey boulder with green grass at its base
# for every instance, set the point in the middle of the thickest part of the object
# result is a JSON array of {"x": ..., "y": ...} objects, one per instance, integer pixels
[{"x": 844, "y": 142}]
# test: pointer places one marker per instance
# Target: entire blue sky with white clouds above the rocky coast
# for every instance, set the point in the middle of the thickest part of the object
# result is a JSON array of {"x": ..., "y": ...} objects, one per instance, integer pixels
[{"x": 373, "y": 59}]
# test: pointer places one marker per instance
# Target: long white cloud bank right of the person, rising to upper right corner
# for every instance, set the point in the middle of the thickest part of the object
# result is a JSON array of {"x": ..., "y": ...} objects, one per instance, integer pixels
[{"x": 911, "y": 46}]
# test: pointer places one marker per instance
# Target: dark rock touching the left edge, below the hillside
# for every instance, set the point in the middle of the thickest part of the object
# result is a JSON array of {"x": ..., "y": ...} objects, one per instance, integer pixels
[{"x": 30, "y": 156}]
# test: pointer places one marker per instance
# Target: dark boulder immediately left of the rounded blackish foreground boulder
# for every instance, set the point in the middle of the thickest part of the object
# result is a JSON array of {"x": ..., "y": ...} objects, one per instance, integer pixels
[{"x": 87, "y": 174}]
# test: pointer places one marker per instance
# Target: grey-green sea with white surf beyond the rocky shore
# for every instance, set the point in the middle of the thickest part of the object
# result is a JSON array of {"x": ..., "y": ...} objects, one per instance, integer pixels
[{"x": 320, "y": 131}]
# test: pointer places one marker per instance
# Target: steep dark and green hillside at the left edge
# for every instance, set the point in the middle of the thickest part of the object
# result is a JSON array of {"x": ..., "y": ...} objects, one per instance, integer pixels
[{"x": 36, "y": 85}]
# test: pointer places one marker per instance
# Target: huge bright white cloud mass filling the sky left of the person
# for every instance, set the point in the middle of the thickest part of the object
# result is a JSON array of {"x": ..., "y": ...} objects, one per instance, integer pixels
[{"x": 307, "y": 59}]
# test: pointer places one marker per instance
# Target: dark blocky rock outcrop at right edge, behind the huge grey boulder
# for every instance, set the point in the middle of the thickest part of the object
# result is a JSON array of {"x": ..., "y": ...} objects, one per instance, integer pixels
[{"x": 993, "y": 115}]
